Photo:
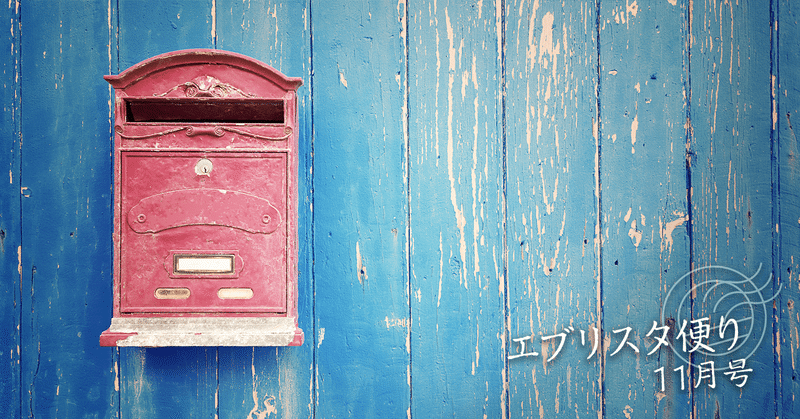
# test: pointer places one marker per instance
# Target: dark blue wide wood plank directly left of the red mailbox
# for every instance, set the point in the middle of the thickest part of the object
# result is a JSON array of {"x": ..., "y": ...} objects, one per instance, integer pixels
[{"x": 66, "y": 211}]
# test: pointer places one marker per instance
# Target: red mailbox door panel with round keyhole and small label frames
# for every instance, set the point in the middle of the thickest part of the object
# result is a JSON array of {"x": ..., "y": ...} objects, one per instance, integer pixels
[{"x": 203, "y": 232}]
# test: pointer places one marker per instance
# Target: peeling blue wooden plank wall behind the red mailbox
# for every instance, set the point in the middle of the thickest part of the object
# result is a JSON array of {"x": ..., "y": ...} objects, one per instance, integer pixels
[{"x": 471, "y": 173}]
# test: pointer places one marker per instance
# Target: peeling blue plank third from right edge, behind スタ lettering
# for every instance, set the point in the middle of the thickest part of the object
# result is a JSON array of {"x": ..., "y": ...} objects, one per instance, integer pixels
[{"x": 644, "y": 200}]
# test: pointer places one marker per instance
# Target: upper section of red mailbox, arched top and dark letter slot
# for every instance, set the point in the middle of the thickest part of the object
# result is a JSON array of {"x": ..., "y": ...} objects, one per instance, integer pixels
[{"x": 204, "y": 99}]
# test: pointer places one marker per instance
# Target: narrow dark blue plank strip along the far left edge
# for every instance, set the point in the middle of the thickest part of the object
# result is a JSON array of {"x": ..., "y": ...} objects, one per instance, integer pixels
[{"x": 10, "y": 237}]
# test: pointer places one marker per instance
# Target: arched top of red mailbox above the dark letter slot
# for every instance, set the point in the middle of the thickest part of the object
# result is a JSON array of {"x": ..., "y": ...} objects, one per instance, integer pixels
[{"x": 200, "y": 62}]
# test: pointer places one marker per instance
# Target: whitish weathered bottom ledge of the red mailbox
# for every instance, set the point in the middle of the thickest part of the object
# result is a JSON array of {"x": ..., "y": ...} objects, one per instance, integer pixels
[{"x": 221, "y": 331}]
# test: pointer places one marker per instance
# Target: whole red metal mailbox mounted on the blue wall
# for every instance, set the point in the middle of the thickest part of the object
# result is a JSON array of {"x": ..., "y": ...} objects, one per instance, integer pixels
[{"x": 205, "y": 203}]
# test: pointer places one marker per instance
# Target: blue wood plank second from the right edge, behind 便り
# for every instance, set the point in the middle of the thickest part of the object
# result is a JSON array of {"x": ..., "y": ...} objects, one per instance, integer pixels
[{"x": 731, "y": 196}]
